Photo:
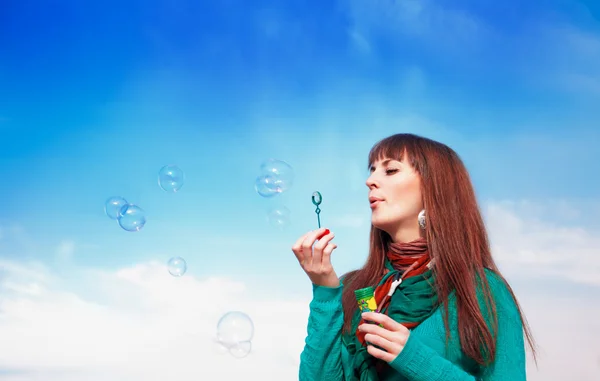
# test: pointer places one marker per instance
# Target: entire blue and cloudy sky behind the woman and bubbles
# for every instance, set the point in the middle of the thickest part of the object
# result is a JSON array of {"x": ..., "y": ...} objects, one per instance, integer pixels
[{"x": 95, "y": 98}]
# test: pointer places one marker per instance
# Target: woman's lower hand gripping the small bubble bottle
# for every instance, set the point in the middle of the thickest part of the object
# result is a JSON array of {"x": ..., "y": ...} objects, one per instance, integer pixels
[{"x": 391, "y": 337}]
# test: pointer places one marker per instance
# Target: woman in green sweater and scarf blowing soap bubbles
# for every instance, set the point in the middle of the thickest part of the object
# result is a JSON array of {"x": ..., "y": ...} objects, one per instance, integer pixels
[{"x": 444, "y": 310}]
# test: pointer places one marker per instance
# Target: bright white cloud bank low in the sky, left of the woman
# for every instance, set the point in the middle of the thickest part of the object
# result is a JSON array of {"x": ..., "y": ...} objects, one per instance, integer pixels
[{"x": 145, "y": 324}]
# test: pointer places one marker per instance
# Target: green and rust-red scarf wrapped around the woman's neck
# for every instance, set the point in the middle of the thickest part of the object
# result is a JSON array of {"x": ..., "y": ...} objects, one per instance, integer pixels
[{"x": 413, "y": 300}]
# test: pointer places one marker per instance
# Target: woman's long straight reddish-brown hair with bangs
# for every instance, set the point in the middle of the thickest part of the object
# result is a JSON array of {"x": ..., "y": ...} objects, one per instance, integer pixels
[{"x": 457, "y": 239}]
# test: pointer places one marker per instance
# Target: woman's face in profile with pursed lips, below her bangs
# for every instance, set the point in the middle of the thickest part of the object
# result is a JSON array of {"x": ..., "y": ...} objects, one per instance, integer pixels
[{"x": 395, "y": 198}]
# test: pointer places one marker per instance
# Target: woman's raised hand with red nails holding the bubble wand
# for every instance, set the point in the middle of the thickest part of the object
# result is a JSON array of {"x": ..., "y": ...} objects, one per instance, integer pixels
[{"x": 316, "y": 262}]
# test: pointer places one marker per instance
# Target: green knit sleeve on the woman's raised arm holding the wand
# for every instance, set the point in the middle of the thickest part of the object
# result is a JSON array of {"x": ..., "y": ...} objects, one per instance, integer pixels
[{"x": 321, "y": 358}]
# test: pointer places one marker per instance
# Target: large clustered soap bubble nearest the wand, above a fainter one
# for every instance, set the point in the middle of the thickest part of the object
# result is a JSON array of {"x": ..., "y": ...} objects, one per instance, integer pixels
[{"x": 276, "y": 176}]
